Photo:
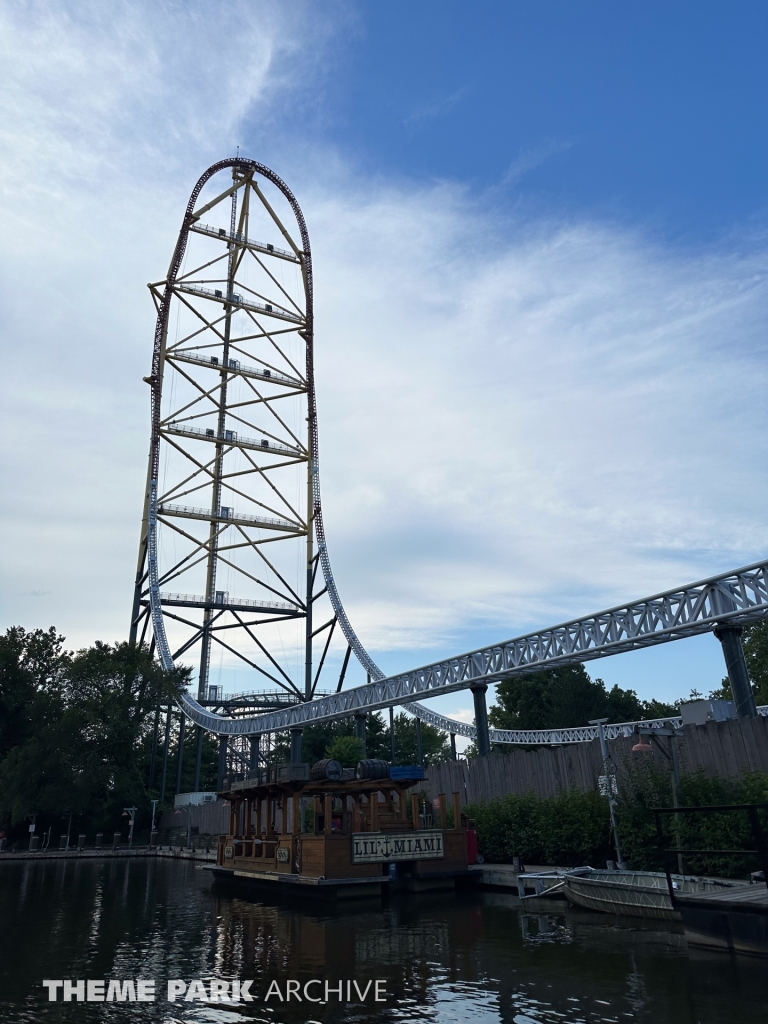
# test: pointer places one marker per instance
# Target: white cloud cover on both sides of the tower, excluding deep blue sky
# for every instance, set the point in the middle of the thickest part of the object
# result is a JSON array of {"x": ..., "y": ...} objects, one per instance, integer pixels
[{"x": 520, "y": 422}]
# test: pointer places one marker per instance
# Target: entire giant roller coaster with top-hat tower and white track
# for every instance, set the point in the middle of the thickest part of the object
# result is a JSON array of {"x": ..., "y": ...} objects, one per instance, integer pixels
[{"x": 233, "y": 517}]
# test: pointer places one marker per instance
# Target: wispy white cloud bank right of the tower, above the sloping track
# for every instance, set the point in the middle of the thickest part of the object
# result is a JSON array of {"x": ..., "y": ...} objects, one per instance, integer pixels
[{"x": 527, "y": 422}]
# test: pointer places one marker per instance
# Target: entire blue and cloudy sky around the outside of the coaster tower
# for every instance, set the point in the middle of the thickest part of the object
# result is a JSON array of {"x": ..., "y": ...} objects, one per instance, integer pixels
[{"x": 565, "y": 408}]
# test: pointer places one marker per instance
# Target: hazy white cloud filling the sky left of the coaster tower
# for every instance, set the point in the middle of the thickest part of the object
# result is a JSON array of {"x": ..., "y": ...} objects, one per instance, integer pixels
[{"x": 108, "y": 116}]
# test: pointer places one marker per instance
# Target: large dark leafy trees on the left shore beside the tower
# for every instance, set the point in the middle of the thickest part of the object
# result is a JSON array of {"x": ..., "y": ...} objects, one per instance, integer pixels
[{"x": 74, "y": 728}]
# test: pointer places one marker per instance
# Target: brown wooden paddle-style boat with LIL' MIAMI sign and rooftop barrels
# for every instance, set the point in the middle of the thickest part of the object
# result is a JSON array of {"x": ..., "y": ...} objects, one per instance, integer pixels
[{"x": 340, "y": 837}]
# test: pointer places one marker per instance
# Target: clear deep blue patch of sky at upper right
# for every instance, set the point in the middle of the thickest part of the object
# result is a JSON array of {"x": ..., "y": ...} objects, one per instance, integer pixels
[{"x": 652, "y": 113}]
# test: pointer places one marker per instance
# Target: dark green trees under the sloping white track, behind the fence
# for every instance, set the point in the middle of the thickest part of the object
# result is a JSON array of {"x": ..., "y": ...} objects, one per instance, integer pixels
[{"x": 565, "y": 698}]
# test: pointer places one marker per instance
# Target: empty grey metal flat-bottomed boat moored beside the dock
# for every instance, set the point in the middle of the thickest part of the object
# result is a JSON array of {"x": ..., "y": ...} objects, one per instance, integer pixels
[{"x": 644, "y": 894}]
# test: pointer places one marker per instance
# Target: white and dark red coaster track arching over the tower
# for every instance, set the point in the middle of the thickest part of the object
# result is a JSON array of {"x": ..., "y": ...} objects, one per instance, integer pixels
[{"x": 737, "y": 599}]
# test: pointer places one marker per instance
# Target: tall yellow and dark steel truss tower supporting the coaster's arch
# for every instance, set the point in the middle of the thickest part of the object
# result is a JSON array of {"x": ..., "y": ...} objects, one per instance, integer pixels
[{"x": 233, "y": 495}]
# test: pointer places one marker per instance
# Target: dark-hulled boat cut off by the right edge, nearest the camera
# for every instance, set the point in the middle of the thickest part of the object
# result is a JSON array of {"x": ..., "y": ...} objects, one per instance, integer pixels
[{"x": 734, "y": 920}]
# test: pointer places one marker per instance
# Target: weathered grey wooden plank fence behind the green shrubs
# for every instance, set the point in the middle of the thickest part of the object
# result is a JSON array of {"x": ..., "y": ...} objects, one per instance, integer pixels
[{"x": 724, "y": 749}]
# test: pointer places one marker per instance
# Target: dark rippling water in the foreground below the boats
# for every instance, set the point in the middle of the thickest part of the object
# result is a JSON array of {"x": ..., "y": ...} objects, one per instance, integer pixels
[{"x": 444, "y": 959}]
